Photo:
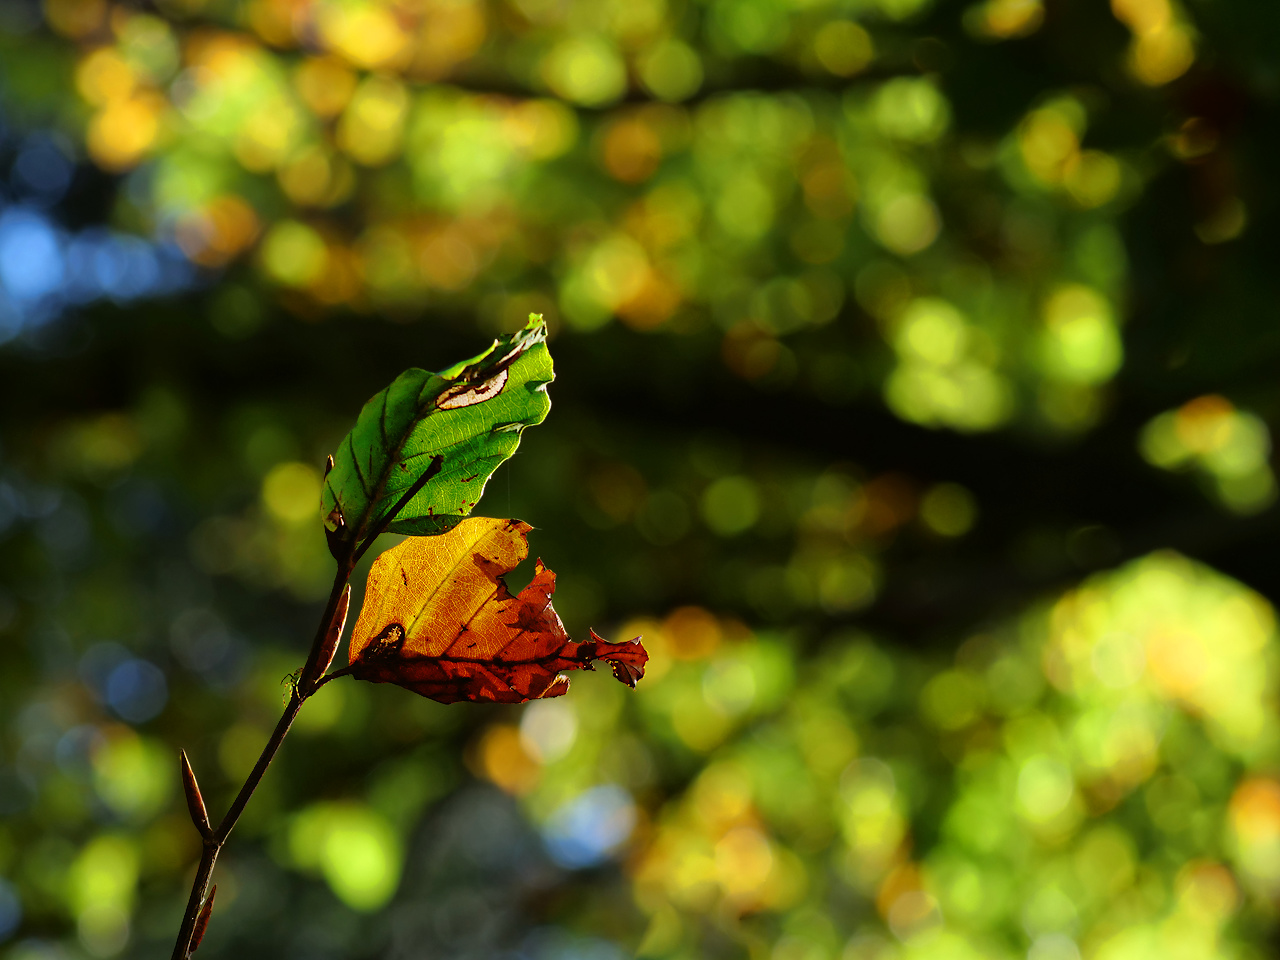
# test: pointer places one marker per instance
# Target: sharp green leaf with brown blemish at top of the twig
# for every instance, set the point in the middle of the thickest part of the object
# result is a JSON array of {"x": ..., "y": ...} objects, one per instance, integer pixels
[{"x": 467, "y": 419}]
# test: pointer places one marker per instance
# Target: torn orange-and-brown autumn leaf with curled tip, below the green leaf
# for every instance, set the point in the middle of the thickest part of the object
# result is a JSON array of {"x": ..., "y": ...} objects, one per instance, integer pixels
[{"x": 440, "y": 620}]
